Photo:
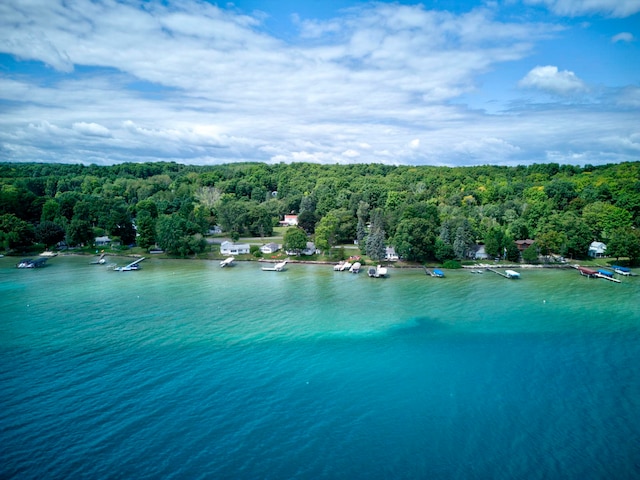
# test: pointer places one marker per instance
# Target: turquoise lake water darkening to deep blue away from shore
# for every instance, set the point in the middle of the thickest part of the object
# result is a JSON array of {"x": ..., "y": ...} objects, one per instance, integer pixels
[{"x": 186, "y": 370}]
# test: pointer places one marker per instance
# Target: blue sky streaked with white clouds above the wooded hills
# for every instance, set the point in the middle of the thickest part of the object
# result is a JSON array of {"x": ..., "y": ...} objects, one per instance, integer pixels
[{"x": 441, "y": 82}]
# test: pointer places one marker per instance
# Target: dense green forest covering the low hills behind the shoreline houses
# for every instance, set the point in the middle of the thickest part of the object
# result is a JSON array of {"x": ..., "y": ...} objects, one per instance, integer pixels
[{"x": 426, "y": 213}]
